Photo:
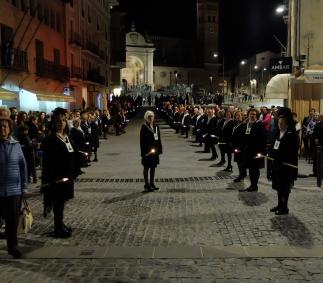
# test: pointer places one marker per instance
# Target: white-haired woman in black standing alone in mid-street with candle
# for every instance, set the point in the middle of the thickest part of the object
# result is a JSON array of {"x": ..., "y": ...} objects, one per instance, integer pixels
[{"x": 151, "y": 148}]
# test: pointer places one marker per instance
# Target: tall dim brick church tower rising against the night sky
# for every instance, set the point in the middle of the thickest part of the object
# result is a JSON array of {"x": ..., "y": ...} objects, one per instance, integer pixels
[{"x": 207, "y": 30}]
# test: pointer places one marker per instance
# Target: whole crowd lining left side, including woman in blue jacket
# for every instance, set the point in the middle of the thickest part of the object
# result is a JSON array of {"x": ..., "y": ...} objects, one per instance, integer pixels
[{"x": 60, "y": 144}]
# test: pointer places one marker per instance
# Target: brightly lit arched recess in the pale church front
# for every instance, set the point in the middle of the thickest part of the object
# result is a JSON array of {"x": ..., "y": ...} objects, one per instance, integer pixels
[{"x": 134, "y": 71}]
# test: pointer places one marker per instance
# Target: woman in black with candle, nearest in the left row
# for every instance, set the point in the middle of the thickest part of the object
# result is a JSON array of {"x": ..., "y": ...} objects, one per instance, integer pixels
[{"x": 59, "y": 170}]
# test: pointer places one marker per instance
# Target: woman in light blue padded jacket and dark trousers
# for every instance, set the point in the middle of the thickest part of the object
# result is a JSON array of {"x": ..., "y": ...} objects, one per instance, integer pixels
[{"x": 13, "y": 182}]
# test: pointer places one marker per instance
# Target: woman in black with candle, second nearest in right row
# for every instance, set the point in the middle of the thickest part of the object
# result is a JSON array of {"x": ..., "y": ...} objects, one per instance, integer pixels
[{"x": 254, "y": 148}]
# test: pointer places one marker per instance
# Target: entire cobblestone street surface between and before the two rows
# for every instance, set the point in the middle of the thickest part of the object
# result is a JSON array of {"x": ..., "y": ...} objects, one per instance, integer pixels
[{"x": 197, "y": 206}]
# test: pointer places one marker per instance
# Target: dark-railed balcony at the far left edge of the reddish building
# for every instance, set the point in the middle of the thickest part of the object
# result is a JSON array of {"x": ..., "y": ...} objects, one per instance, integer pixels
[{"x": 13, "y": 59}]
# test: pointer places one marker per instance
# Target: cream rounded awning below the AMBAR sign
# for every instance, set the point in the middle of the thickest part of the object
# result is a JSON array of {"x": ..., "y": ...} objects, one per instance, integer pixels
[{"x": 277, "y": 87}]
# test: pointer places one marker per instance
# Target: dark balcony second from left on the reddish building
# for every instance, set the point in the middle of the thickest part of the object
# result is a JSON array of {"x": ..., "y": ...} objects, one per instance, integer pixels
[{"x": 49, "y": 69}]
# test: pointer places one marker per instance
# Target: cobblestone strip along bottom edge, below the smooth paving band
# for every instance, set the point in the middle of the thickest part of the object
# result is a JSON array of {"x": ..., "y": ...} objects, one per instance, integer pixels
[{"x": 170, "y": 270}]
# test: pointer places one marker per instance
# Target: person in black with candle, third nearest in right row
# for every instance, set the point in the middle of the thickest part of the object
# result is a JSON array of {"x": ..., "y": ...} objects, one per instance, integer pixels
[{"x": 238, "y": 145}]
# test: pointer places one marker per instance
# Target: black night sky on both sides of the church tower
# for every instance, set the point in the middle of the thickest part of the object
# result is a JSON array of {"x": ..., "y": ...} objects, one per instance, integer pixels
[{"x": 246, "y": 26}]
